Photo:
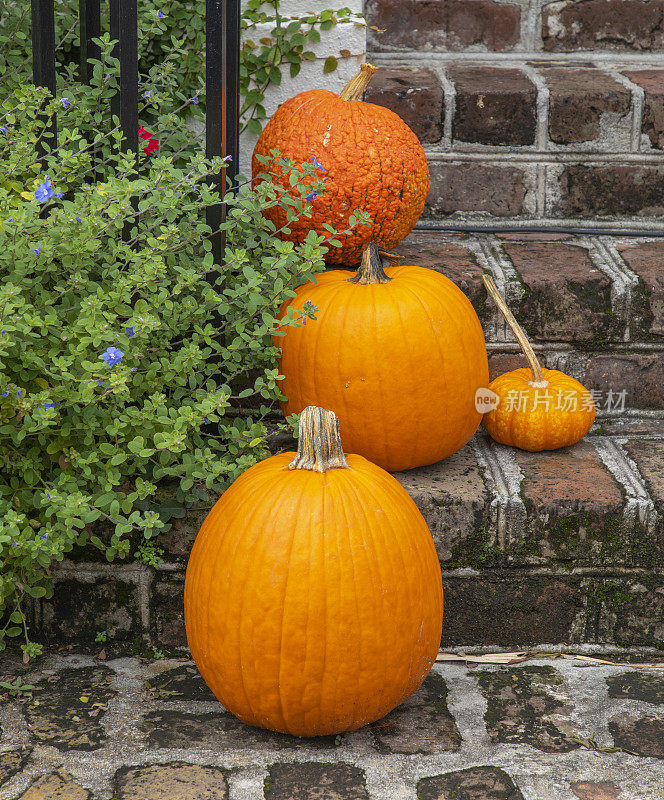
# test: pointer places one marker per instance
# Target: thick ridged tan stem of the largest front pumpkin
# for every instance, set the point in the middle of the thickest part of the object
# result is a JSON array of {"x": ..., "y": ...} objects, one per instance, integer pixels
[{"x": 319, "y": 446}]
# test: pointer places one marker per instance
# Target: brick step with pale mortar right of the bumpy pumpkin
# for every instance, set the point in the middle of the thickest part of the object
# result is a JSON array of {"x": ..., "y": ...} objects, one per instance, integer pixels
[{"x": 532, "y": 138}]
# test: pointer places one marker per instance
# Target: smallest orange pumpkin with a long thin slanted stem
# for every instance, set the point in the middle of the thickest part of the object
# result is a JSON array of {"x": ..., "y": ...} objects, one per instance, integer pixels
[{"x": 538, "y": 409}]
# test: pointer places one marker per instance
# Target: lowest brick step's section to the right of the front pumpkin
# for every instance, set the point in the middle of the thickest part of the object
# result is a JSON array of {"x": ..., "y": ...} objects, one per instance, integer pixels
[{"x": 566, "y": 546}]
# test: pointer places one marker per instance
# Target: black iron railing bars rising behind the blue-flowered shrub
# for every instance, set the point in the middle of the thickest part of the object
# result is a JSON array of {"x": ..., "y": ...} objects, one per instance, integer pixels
[{"x": 222, "y": 76}]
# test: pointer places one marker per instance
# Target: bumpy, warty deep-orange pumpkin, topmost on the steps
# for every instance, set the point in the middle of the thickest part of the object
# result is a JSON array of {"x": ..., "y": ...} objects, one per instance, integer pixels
[{"x": 372, "y": 160}]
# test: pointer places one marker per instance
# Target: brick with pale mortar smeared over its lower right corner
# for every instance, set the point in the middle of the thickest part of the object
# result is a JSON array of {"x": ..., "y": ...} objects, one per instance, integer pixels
[{"x": 578, "y": 98}]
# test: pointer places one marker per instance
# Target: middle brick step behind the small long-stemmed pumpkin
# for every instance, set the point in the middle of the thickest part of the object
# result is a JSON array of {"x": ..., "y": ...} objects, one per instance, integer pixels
[{"x": 592, "y": 306}]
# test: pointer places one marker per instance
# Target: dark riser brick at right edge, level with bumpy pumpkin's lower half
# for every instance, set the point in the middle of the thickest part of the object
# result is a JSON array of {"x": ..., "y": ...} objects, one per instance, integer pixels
[{"x": 589, "y": 191}]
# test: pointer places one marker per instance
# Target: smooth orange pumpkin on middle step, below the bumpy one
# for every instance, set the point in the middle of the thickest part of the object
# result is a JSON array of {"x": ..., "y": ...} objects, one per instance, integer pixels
[{"x": 397, "y": 353}]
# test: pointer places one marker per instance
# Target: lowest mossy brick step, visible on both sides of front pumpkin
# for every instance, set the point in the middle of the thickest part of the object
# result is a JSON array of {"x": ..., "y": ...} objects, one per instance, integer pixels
[{"x": 559, "y": 547}]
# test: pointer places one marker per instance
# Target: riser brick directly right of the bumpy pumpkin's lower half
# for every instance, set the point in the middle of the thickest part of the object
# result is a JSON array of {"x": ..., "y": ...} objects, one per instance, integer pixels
[{"x": 476, "y": 187}]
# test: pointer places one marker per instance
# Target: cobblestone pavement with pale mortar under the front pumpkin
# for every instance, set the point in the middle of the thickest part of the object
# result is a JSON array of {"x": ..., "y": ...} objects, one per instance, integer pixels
[{"x": 132, "y": 729}]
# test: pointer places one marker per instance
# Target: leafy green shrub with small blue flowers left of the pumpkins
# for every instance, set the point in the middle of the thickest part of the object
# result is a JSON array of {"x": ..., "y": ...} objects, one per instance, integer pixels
[{"x": 121, "y": 360}]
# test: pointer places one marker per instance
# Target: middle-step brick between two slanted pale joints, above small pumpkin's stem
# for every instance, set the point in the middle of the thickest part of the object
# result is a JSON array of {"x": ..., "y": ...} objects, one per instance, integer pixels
[{"x": 567, "y": 297}]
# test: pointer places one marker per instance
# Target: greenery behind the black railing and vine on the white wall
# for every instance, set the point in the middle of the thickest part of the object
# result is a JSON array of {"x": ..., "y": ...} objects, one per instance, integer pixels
[{"x": 173, "y": 32}]
